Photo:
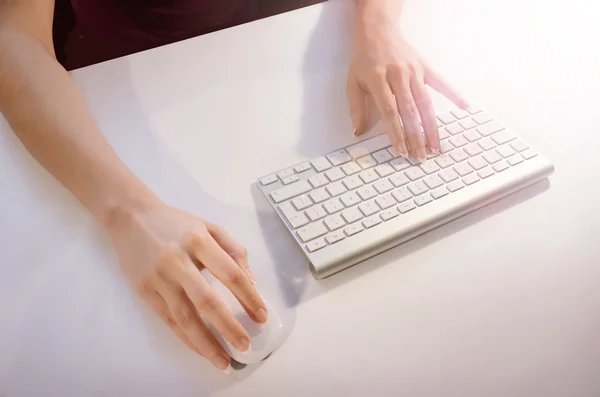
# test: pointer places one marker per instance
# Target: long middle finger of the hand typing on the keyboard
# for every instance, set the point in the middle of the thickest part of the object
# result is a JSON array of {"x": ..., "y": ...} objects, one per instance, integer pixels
[{"x": 400, "y": 83}]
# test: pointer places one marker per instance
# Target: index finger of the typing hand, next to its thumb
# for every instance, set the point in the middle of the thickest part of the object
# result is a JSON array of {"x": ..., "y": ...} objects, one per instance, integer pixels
[{"x": 386, "y": 104}]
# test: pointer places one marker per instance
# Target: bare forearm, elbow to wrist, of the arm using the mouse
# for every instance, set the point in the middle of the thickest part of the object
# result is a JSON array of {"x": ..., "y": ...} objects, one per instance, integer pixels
[{"x": 47, "y": 112}]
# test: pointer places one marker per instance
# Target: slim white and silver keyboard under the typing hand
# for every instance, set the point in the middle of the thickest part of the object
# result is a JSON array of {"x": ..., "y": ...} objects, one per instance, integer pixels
[{"x": 358, "y": 201}]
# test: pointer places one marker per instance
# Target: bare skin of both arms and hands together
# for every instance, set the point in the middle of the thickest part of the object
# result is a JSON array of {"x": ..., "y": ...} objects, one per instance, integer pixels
[{"x": 164, "y": 251}]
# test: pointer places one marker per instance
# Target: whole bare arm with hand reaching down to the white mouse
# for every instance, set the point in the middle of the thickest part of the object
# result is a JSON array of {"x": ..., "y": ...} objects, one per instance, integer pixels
[{"x": 48, "y": 113}]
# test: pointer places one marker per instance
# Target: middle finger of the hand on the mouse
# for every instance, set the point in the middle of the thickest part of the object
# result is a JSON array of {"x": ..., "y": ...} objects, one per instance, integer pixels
[{"x": 208, "y": 304}]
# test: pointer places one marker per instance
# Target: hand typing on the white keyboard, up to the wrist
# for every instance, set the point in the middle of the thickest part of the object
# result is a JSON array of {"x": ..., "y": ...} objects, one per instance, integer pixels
[{"x": 385, "y": 66}]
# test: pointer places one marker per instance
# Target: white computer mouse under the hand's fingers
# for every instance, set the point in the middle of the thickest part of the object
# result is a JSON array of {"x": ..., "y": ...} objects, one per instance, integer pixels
[{"x": 265, "y": 338}]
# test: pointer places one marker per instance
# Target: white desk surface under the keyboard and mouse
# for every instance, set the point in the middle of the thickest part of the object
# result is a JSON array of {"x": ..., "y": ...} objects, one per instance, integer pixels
[{"x": 503, "y": 302}]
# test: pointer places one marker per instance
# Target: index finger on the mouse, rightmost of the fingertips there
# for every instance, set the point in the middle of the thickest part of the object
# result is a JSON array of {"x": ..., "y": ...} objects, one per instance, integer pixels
[{"x": 205, "y": 249}]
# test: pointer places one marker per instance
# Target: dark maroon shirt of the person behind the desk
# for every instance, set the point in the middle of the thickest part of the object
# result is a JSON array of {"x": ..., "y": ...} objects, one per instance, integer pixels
[{"x": 112, "y": 28}]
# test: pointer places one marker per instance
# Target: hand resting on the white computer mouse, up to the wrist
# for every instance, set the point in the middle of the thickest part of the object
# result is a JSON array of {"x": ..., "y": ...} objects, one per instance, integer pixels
[{"x": 162, "y": 251}]
